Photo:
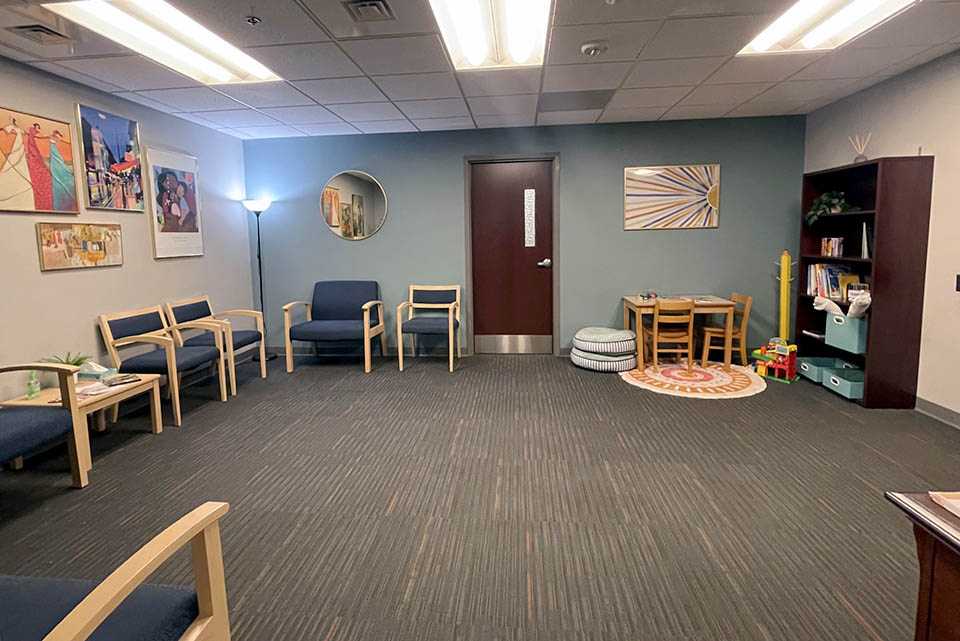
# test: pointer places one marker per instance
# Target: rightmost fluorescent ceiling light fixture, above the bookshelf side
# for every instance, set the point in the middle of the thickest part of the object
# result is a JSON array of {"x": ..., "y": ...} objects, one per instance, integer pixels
[{"x": 824, "y": 24}]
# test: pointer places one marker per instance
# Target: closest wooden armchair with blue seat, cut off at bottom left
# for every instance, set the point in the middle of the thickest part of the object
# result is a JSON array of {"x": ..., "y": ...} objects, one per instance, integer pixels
[{"x": 122, "y": 607}]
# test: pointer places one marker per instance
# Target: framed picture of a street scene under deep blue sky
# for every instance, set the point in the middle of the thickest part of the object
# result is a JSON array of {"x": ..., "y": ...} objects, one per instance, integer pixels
[{"x": 110, "y": 148}]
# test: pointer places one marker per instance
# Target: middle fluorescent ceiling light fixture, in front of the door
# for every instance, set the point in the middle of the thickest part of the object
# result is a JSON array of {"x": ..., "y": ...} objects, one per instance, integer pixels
[{"x": 487, "y": 34}]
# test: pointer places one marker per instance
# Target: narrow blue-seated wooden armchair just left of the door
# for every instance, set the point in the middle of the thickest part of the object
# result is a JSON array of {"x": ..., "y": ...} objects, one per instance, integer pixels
[{"x": 444, "y": 298}]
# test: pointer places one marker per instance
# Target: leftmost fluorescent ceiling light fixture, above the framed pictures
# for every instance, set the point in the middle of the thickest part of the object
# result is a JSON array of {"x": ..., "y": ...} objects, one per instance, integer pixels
[{"x": 164, "y": 34}]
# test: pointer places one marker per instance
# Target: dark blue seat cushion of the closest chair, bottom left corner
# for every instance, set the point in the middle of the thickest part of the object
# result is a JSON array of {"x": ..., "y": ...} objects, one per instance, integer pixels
[{"x": 30, "y": 607}]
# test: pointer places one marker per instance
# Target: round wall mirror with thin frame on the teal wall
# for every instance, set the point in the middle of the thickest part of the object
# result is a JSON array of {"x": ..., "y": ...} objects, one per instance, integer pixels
[{"x": 353, "y": 205}]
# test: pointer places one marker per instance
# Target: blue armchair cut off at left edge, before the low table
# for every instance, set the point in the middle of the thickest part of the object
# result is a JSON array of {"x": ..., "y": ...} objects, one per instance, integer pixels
[{"x": 23, "y": 428}]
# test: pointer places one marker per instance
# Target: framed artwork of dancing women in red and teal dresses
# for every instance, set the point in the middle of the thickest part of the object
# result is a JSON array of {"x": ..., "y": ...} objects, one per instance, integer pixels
[{"x": 36, "y": 165}]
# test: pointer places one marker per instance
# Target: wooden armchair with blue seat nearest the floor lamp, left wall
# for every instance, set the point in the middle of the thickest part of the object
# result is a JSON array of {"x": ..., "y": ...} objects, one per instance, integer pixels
[{"x": 199, "y": 308}]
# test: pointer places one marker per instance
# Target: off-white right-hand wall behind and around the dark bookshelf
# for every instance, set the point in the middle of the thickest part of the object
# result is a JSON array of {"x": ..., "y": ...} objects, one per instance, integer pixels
[{"x": 917, "y": 109}]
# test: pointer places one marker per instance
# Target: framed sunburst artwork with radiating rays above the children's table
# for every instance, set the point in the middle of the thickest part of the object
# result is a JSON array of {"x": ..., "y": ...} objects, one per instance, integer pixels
[{"x": 674, "y": 197}]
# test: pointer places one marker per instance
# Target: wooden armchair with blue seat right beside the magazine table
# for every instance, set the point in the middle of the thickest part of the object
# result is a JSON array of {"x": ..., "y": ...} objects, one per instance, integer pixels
[{"x": 148, "y": 325}]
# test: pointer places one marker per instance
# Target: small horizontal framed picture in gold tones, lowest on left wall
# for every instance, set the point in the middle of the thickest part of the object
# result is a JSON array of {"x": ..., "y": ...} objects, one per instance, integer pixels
[{"x": 78, "y": 245}]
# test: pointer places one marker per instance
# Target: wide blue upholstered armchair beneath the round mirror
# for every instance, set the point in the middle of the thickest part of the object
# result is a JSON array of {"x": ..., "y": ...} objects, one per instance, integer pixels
[{"x": 341, "y": 310}]
